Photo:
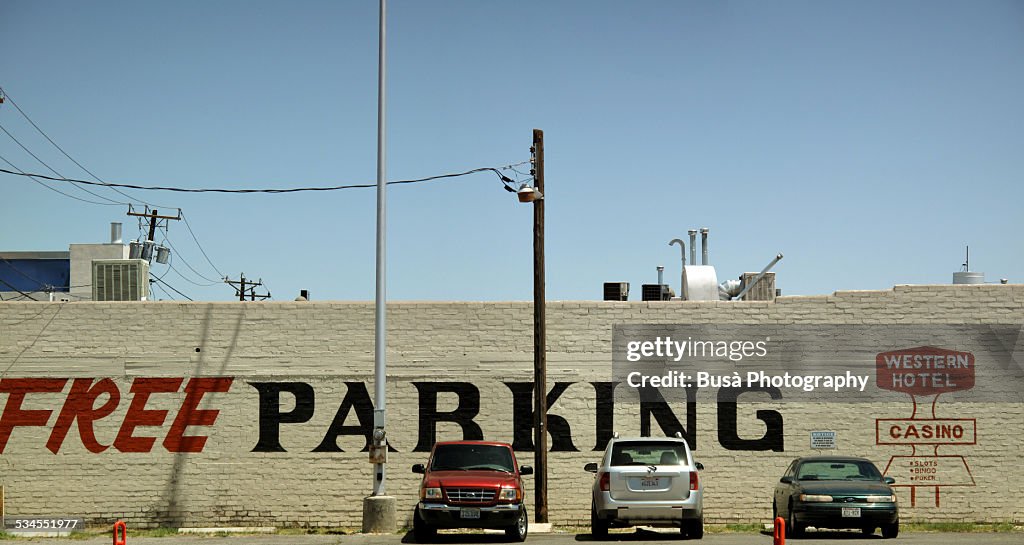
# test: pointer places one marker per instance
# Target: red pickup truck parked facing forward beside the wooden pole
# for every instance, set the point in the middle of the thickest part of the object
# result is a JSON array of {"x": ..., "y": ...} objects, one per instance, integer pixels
[{"x": 472, "y": 484}]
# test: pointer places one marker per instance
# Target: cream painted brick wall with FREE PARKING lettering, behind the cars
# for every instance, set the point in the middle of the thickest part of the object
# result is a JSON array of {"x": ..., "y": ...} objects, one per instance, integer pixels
[{"x": 441, "y": 355}]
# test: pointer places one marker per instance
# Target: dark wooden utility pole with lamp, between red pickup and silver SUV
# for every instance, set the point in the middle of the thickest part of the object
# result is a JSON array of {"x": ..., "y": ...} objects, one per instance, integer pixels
[{"x": 540, "y": 340}]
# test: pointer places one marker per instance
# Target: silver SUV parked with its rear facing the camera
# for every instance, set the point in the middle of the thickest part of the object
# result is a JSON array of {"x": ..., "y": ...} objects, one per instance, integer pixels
[{"x": 648, "y": 482}]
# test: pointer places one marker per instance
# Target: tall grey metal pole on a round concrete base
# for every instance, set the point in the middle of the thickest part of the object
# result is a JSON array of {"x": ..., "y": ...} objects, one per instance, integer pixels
[{"x": 378, "y": 510}]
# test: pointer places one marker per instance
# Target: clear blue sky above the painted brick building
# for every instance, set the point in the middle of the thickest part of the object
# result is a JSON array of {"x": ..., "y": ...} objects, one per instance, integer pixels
[{"x": 869, "y": 142}]
